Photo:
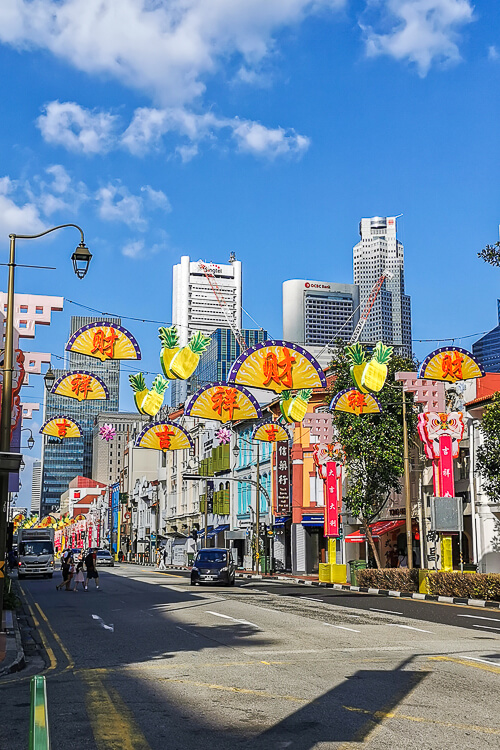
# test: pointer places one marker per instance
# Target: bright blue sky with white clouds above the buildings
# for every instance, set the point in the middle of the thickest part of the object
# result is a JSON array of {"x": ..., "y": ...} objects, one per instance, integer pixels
[{"x": 263, "y": 127}]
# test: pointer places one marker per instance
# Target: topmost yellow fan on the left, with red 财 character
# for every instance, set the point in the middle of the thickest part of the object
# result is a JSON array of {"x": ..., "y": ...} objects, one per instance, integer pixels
[{"x": 104, "y": 340}]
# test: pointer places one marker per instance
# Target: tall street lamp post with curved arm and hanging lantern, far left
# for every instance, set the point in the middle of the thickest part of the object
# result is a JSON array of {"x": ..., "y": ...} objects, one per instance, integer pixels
[{"x": 81, "y": 259}]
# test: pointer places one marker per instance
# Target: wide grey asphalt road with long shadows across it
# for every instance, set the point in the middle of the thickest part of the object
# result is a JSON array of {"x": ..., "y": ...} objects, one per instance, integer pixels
[{"x": 150, "y": 663}]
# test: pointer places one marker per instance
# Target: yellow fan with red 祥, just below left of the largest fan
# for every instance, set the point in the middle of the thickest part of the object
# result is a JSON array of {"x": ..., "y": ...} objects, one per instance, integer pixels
[{"x": 223, "y": 403}]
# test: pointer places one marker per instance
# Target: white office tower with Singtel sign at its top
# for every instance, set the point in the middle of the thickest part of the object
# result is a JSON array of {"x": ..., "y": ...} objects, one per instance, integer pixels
[{"x": 205, "y": 296}]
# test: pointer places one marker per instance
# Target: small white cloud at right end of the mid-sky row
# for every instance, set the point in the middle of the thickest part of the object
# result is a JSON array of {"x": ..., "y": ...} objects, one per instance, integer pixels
[{"x": 268, "y": 142}]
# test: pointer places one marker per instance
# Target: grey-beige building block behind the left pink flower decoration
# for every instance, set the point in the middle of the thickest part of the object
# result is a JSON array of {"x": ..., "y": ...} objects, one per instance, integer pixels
[{"x": 108, "y": 456}]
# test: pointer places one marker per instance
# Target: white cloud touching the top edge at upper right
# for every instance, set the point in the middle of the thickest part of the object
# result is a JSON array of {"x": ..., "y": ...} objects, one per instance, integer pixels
[{"x": 422, "y": 32}]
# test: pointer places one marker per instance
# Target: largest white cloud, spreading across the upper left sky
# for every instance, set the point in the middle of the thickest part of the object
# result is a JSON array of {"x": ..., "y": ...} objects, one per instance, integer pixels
[{"x": 166, "y": 48}]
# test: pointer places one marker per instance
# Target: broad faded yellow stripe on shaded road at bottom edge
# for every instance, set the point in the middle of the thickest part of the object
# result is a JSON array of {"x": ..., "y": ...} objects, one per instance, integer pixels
[{"x": 113, "y": 724}]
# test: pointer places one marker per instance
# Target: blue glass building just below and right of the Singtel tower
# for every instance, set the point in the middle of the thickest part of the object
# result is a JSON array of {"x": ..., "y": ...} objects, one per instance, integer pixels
[{"x": 216, "y": 361}]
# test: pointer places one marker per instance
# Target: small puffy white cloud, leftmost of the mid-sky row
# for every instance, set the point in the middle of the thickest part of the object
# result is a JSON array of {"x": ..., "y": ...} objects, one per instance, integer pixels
[{"x": 76, "y": 128}]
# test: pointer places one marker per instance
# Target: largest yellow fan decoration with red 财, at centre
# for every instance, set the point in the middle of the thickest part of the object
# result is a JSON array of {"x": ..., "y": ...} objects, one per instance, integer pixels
[{"x": 277, "y": 366}]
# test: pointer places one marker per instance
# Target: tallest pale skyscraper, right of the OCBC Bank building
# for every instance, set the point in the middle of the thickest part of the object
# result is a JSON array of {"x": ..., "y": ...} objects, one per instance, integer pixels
[{"x": 379, "y": 250}]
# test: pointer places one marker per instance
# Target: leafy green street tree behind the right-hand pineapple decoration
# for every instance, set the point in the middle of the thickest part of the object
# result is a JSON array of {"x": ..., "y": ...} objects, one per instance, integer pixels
[{"x": 372, "y": 444}]
